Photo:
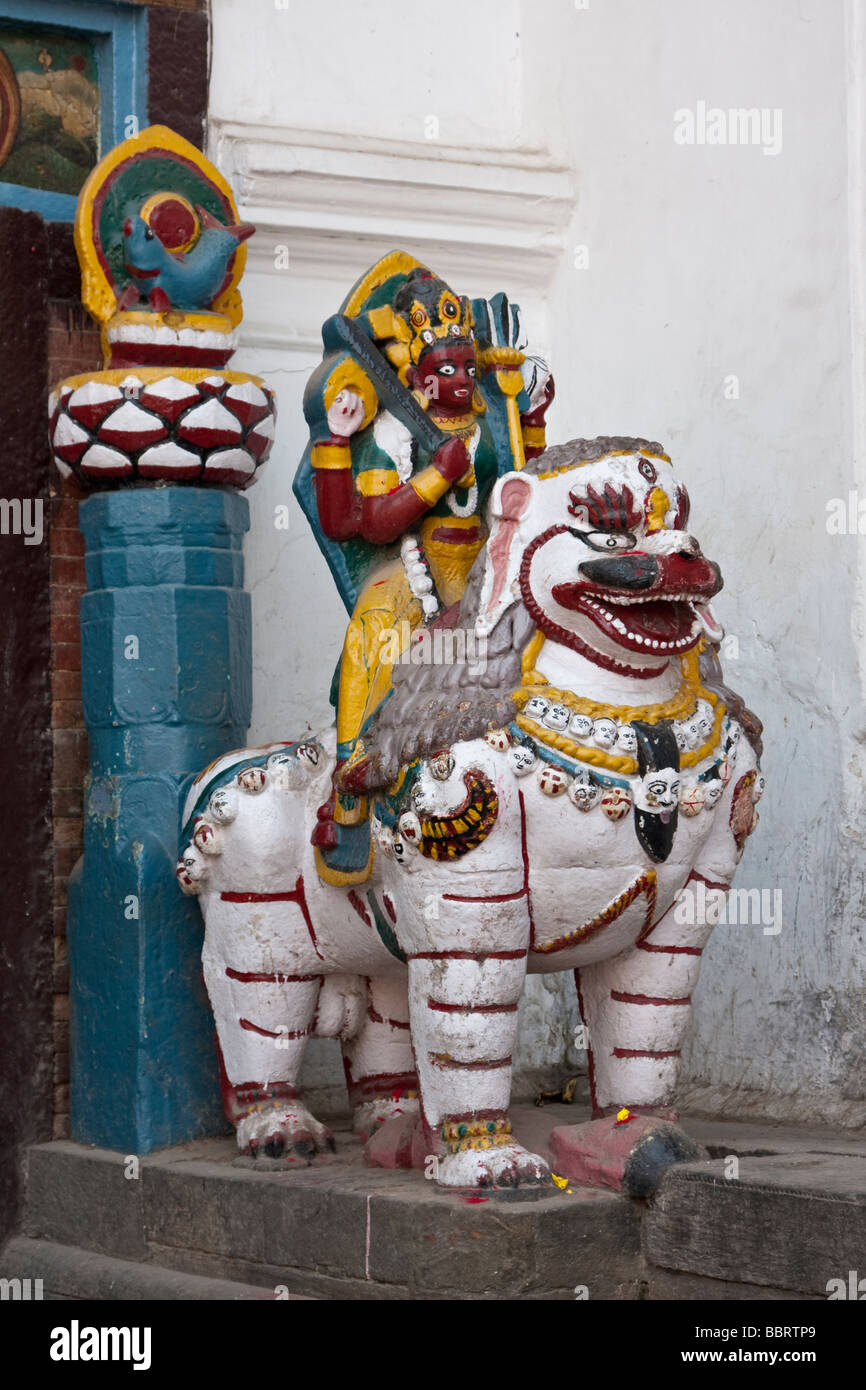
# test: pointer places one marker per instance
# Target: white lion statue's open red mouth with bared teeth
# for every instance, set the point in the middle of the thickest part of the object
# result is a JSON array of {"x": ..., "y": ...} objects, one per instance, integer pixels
[{"x": 660, "y": 625}]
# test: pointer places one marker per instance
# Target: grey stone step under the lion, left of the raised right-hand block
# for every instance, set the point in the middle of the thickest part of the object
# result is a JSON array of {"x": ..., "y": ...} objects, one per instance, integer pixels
[{"x": 337, "y": 1229}]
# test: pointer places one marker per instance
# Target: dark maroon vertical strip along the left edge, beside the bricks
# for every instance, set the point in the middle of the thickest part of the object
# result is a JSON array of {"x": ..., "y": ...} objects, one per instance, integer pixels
[{"x": 26, "y": 846}]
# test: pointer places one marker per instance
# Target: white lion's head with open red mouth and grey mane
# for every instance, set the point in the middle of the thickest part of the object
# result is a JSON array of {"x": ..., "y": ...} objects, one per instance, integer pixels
[{"x": 589, "y": 543}]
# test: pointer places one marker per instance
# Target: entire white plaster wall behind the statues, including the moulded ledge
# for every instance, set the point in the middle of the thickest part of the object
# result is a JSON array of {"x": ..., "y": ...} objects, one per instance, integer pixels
[{"x": 557, "y": 131}]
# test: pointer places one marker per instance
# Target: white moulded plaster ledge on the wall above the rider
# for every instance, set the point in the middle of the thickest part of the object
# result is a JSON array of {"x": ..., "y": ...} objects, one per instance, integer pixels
[{"x": 487, "y": 216}]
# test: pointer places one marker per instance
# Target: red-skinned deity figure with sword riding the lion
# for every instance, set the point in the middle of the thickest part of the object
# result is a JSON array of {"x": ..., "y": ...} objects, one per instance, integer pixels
[{"x": 422, "y": 401}]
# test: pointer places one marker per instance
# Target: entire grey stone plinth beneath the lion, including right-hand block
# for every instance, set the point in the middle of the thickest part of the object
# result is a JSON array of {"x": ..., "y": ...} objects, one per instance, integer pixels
[{"x": 199, "y": 1224}]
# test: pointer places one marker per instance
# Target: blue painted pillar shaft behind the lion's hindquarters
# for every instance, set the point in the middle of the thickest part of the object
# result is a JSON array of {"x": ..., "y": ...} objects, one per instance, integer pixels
[{"x": 166, "y": 689}]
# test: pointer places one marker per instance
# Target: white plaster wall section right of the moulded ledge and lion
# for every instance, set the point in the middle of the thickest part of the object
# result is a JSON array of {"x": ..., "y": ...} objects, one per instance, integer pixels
[{"x": 708, "y": 262}]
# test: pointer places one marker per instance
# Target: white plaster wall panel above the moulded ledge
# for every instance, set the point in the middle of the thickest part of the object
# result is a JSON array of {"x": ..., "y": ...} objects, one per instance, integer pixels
[{"x": 373, "y": 70}]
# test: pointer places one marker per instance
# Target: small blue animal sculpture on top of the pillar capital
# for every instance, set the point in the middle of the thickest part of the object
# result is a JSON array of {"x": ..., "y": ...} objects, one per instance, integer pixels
[{"x": 179, "y": 280}]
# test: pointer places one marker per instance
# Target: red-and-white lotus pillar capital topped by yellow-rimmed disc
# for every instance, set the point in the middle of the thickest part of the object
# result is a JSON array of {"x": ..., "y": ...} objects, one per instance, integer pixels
[{"x": 162, "y": 255}]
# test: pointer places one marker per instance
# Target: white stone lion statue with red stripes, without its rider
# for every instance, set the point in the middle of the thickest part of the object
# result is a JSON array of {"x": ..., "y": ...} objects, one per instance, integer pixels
[{"x": 543, "y": 810}]
